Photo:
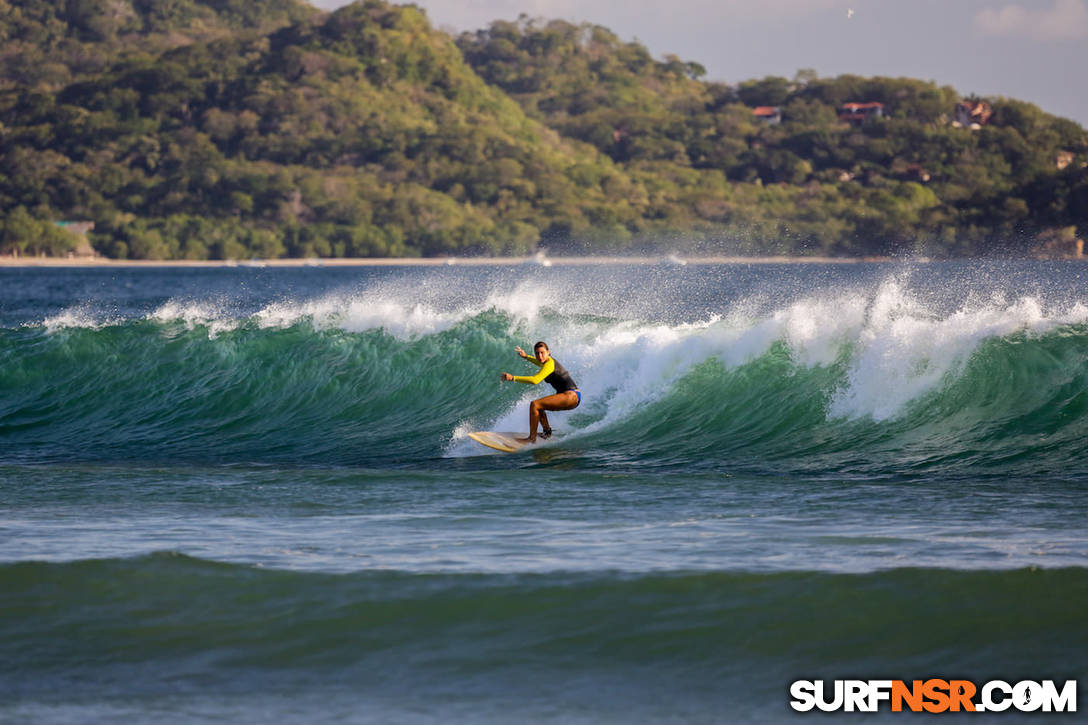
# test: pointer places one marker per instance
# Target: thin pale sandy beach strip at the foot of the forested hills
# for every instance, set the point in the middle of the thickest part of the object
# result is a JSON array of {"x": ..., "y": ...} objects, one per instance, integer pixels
[{"x": 431, "y": 262}]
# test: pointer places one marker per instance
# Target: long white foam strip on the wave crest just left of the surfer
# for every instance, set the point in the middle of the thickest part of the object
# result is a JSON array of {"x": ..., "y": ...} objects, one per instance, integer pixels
[{"x": 403, "y": 321}]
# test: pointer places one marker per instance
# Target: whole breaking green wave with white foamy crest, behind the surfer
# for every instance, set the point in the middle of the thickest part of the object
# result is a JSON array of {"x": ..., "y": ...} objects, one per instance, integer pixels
[{"x": 867, "y": 384}]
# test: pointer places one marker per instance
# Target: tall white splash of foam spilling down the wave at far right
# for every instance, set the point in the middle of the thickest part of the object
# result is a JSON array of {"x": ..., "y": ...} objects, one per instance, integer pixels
[{"x": 907, "y": 351}]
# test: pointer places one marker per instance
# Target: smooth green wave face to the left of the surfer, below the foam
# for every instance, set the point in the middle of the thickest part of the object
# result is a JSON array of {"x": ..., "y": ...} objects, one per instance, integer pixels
[{"x": 150, "y": 390}]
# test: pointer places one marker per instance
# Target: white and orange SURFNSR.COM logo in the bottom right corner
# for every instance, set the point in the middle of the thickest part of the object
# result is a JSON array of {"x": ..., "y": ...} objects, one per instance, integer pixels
[{"x": 933, "y": 696}]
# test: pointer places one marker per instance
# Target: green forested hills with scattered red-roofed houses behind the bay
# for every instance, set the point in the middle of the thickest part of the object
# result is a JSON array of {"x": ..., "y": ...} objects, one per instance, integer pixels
[{"x": 228, "y": 129}]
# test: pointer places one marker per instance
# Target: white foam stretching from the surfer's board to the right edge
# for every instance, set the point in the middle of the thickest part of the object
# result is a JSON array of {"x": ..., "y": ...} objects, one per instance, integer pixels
[{"x": 901, "y": 350}]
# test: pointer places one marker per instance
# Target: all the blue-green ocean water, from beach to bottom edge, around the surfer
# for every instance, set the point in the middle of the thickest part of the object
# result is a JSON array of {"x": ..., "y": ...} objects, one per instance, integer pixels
[{"x": 248, "y": 496}]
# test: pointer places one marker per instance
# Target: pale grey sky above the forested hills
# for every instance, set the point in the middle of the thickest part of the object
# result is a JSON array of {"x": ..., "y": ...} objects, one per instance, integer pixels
[{"x": 1025, "y": 50}]
